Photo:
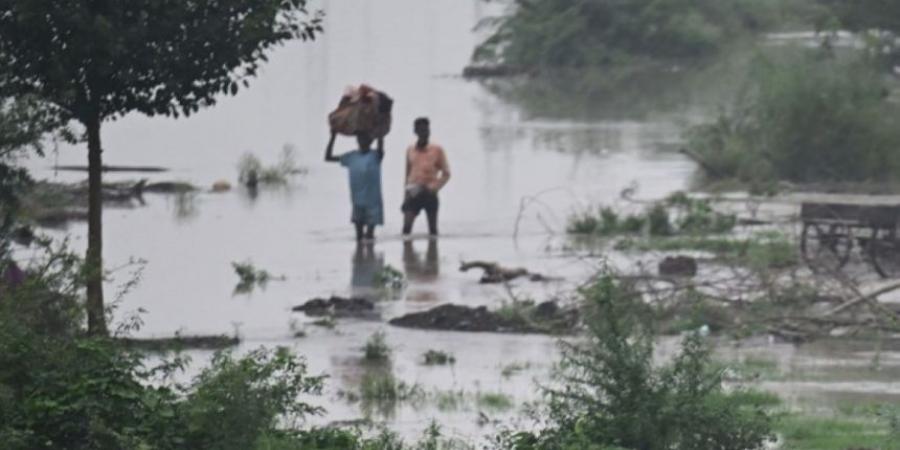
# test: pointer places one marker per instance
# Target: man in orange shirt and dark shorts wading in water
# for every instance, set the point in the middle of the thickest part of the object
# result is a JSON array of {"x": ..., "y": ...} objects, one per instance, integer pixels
[{"x": 427, "y": 172}]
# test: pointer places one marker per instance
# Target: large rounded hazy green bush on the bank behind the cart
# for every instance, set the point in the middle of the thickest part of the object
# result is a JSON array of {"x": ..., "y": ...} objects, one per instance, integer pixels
[{"x": 809, "y": 119}]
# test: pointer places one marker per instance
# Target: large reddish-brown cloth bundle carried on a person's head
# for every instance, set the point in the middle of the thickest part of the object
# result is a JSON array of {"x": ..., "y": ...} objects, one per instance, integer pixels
[{"x": 362, "y": 109}]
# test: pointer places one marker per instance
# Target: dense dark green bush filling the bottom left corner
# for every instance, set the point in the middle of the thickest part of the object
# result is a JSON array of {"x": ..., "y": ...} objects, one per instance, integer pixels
[{"x": 61, "y": 389}]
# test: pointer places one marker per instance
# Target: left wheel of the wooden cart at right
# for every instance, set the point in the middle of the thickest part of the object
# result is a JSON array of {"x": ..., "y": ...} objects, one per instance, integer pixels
[{"x": 826, "y": 247}]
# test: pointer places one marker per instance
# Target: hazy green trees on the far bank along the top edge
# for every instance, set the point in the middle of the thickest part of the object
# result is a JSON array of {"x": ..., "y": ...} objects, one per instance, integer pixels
[{"x": 578, "y": 33}]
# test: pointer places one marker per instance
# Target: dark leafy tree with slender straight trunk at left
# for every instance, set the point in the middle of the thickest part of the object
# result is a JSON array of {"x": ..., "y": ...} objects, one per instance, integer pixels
[{"x": 96, "y": 60}]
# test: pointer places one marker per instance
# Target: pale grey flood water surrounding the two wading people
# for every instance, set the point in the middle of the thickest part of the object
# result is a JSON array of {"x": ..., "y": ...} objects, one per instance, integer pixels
[{"x": 499, "y": 155}]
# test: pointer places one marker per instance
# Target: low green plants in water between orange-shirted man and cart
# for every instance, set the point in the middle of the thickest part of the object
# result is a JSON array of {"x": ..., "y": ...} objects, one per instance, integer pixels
[{"x": 678, "y": 214}]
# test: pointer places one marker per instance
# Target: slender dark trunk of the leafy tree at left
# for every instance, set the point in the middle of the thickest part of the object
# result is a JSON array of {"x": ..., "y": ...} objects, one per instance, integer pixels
[{"x": 94, "y": 259}]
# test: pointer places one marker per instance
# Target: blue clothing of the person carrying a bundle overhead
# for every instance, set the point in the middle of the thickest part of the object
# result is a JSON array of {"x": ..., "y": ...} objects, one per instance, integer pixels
[{"x": 364, "y": 169}]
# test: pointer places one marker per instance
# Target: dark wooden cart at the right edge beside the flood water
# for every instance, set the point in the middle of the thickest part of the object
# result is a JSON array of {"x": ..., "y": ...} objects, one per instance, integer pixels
[{"x": 832, "y": 230}]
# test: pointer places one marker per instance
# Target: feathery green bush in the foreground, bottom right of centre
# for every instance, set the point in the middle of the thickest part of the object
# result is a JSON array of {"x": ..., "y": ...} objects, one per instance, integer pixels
[{"x": 612, "y": 394}]
